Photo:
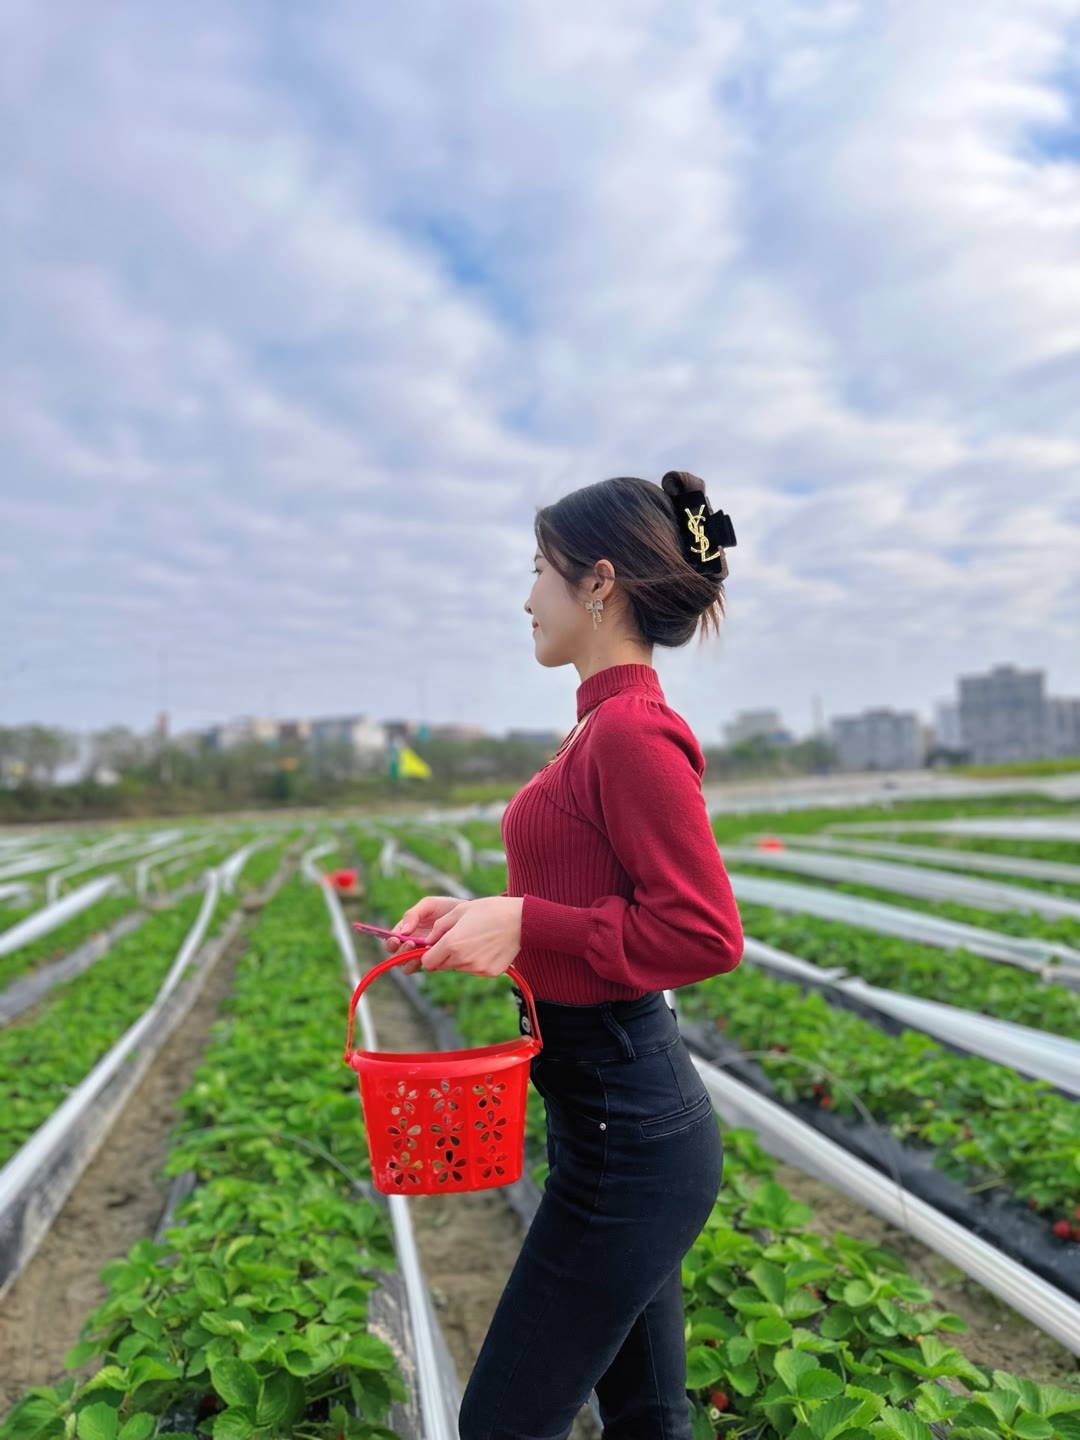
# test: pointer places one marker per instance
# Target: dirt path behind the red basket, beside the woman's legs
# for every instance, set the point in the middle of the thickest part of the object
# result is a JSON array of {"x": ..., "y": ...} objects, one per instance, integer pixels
[{"x": 469, "y": 1243}]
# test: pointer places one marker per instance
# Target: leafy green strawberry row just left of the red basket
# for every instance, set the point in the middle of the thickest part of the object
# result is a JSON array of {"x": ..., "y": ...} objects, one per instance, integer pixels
[{"x": 248, "y": 1321}]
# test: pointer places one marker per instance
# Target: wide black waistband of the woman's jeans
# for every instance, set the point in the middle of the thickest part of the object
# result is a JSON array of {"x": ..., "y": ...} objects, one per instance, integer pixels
[{"x": 613, "y": 1030}]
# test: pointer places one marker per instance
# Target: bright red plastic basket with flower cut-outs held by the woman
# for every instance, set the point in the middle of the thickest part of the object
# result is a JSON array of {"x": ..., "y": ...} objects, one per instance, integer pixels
[{"x": 444, "y": 1122}]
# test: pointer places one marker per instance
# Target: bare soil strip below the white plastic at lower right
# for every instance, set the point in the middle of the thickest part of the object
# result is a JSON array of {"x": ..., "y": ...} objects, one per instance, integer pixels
[{"x": 999, "y": 1337}]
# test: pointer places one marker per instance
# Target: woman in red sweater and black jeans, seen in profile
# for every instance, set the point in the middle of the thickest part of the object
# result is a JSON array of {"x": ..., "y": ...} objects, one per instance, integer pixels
[{"x": 617, "y": 892}]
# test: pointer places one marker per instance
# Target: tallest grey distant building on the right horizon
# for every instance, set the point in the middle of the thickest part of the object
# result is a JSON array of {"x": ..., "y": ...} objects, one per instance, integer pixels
[{"x": 1004, "y": 715}]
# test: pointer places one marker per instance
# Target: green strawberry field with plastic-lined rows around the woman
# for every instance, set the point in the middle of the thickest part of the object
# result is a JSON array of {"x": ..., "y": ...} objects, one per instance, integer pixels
[{"x": 261, "y": 1305}]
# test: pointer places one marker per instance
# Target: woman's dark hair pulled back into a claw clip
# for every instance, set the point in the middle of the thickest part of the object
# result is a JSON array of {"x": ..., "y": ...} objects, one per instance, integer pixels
[{"x": 634, "y": 525}]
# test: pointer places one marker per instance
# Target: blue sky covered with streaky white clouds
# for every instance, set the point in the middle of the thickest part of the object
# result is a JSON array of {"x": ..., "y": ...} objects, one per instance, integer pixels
[{"x": 310, "y": 309}]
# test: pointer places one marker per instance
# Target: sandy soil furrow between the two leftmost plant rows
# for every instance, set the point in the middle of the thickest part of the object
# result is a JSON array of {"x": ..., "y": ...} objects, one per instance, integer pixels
[{"x": 117, "y": 1202}]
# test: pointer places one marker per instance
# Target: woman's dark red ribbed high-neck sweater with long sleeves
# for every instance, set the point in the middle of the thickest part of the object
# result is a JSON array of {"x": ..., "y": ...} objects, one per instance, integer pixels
[{"x": 611, "y": 847}]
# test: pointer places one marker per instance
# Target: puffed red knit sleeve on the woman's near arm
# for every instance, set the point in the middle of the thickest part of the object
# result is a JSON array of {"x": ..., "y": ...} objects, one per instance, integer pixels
[{"x": 642, "y": 787}]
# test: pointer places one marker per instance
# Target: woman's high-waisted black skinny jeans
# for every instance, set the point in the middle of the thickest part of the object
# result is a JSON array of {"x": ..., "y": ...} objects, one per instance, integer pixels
[{"x": 595, "y": 1300}]
